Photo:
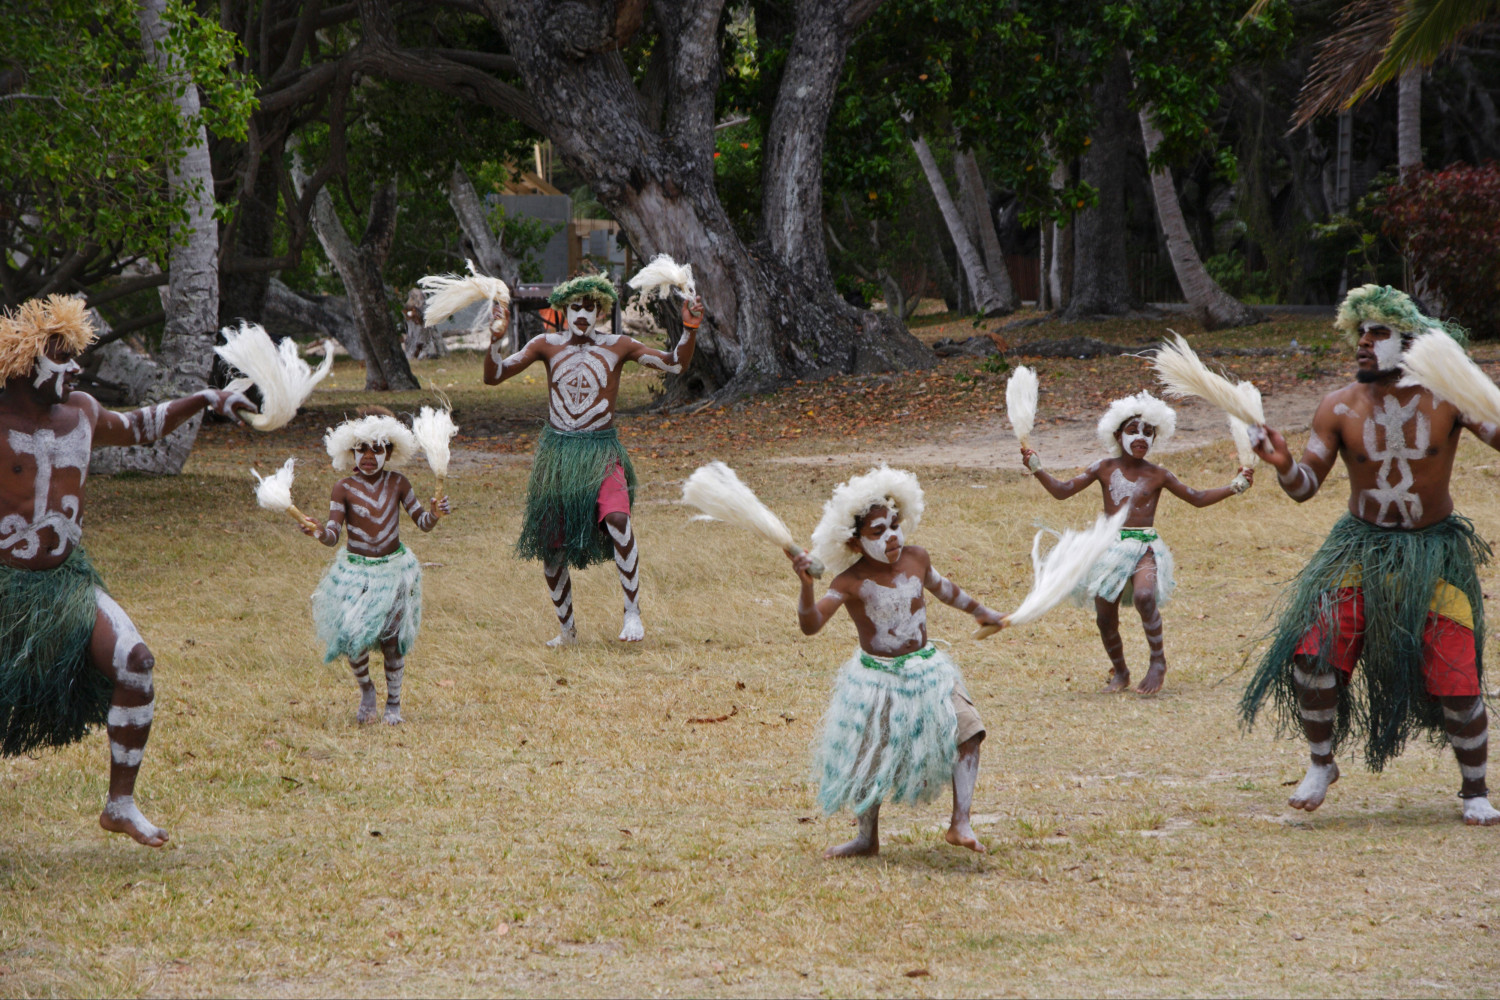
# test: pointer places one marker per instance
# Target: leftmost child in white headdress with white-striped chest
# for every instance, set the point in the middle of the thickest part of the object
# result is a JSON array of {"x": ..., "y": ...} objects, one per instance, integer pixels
[{"x": 371, "y": 597}]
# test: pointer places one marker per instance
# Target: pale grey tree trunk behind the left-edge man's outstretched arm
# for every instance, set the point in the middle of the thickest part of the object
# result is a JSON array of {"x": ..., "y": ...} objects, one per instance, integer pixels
[{"x": 193, "y": 290}]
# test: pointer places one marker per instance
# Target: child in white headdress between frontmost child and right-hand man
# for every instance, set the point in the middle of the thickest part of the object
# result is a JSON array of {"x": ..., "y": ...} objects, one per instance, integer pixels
[{"x": 1139, "y": 566}]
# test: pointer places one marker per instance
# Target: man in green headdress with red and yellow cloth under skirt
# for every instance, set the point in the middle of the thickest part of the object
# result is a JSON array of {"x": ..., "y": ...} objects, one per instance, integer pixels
[{"x": 1394, "y": 588}]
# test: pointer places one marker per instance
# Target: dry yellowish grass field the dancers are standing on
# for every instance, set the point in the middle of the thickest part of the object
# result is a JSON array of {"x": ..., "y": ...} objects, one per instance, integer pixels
[{"x": 557, "y": 825}]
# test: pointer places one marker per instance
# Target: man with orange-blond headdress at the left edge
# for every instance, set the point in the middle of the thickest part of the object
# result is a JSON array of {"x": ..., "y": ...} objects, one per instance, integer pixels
[{"x": 70, "y": 656}]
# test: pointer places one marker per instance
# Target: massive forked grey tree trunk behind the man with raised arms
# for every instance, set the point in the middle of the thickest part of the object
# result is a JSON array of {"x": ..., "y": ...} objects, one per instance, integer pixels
[{"x": 767, "y": 319}]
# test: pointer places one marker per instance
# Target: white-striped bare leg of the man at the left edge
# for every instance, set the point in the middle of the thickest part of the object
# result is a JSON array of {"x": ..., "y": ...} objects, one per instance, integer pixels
[{"x": 121, "y": 654}]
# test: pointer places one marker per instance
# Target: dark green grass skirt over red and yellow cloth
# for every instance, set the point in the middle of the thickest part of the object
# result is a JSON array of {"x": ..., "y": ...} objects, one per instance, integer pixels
[{"x": 1387, "y": 701}]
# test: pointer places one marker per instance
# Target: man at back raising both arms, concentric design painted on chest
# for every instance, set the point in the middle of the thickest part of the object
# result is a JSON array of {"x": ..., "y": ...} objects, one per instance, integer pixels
[{"x": 583, "y": 485}]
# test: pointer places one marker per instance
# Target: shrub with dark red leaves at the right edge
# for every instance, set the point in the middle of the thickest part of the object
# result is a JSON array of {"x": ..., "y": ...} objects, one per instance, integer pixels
[{"x": 1448, "y": 223}]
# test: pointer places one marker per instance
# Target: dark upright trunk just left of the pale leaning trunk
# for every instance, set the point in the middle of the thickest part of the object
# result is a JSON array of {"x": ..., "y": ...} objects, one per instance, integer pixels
[{"x": 1100, "y": 275}]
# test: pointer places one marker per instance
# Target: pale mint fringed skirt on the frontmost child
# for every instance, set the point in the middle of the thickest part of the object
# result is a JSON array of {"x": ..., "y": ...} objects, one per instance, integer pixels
[{"x": 890, "y": 732}]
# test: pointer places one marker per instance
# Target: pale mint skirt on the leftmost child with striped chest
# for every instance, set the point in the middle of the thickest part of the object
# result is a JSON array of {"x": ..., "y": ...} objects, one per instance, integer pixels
[{"x": 362, "y": 603}]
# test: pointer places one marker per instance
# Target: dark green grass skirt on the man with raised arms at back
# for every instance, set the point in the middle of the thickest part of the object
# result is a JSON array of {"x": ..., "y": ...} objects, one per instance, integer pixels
[{"x": 563, "y": 497}]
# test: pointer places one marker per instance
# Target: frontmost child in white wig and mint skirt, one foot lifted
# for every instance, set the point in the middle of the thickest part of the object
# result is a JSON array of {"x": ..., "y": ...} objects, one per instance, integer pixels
[{"x": 901, "y": 723}]
